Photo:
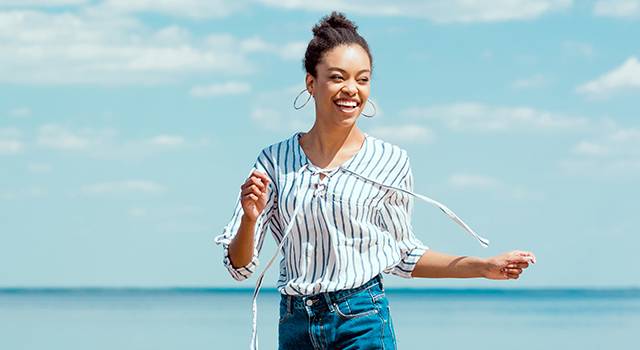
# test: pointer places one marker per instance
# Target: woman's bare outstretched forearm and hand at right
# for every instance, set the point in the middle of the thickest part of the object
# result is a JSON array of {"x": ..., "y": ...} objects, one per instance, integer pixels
[{"x": 509, "y": 265}]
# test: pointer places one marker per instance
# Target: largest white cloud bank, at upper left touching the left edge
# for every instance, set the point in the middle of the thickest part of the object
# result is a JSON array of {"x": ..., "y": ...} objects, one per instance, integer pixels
[{"x": 68, "y": 48}]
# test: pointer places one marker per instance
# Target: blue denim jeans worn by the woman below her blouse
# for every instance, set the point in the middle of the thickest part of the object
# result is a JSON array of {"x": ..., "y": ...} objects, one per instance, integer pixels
[{"x": 357, "y": 318}]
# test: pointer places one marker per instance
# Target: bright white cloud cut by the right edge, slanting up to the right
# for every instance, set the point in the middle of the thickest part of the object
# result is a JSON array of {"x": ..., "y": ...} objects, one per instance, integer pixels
[{"x": 624, "y": 77}]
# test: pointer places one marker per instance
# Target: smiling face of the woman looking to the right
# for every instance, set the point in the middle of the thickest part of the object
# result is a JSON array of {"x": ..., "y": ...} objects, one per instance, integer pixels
[{"x": 341, "y": 87}]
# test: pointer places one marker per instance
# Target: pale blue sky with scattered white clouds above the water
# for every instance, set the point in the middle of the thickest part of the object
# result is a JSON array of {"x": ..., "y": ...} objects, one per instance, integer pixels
[{"x": 127, "y": 127}]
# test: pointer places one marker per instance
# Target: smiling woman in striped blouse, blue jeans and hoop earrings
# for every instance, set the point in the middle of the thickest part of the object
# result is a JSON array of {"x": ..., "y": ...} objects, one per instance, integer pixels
[{"x": 338, "y": 203}]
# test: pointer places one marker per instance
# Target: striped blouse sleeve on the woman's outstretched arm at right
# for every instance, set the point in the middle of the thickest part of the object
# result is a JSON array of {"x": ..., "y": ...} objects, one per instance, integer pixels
[{"x": 396, "y": 219}]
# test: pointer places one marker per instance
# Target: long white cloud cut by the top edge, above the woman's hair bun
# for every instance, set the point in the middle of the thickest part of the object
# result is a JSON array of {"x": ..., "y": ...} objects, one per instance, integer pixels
[{"x": 443, "y": 11}]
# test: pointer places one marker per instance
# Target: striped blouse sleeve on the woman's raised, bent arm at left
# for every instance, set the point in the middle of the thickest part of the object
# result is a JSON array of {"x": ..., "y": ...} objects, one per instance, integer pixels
[{"x": 266, "y": 220}]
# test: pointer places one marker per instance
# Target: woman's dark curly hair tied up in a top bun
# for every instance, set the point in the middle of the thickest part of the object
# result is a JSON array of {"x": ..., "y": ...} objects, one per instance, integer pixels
[{"x": 332, "y": 30}]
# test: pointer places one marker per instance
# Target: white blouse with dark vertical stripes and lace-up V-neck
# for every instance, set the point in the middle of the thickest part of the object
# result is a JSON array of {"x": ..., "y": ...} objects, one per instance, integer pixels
[{"x": 347, "y": 230}]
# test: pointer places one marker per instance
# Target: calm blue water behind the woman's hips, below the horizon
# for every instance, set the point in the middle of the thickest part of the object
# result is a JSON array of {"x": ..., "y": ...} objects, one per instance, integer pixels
[{"x": 221, "y": 319}]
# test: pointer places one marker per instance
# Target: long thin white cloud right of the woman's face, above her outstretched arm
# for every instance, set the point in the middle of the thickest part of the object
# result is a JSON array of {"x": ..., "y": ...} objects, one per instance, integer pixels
[{"x": 485, "y": 118}]
